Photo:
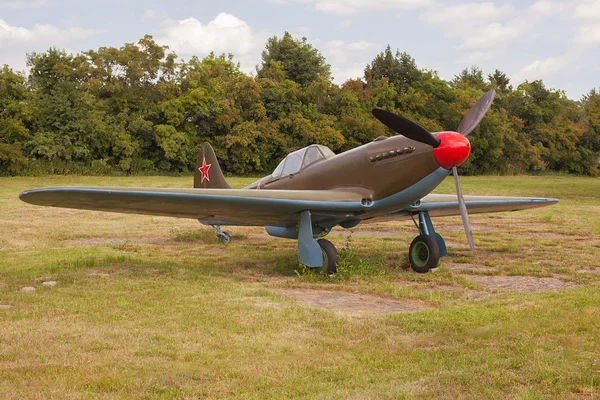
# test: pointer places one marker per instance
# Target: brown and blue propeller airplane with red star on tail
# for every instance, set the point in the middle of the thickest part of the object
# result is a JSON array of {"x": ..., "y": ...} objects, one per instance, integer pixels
[{"x": 314, "y": 190}]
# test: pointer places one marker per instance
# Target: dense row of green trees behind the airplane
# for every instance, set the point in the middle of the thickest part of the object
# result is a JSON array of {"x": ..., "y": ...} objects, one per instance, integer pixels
[{"x": 138, "y": 110}]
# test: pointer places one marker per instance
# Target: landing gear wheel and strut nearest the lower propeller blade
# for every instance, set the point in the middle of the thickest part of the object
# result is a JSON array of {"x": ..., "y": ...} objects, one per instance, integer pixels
[{"x": 427, "y": 248}]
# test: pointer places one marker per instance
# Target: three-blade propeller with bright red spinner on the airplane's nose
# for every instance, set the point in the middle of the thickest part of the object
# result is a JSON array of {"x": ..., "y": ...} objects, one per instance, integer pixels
[{"x": 451, "y": 149}]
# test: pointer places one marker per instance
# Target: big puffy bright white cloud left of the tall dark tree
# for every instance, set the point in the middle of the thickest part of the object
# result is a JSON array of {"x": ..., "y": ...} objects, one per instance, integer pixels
[{"x": 224, "y": 34}]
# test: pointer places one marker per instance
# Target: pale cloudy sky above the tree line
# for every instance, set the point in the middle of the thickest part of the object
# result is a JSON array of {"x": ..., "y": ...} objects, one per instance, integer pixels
[{"x": 554, "y": 40}]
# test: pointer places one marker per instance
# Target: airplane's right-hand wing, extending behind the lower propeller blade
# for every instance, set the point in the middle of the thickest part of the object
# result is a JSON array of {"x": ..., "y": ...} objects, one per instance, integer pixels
[{"x": 444, "y": 205}]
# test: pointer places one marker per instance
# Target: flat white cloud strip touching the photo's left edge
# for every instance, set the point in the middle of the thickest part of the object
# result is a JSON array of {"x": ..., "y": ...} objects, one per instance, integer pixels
[{"x": 16, "y": 35}]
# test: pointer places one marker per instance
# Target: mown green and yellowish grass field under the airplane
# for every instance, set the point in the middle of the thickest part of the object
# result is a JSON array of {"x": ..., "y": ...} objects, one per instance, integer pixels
[{"x": 152, "y": 307}]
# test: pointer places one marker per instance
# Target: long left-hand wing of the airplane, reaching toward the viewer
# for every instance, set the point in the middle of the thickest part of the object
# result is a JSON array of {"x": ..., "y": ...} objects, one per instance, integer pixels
[{"x": 216, "y": 206}]
